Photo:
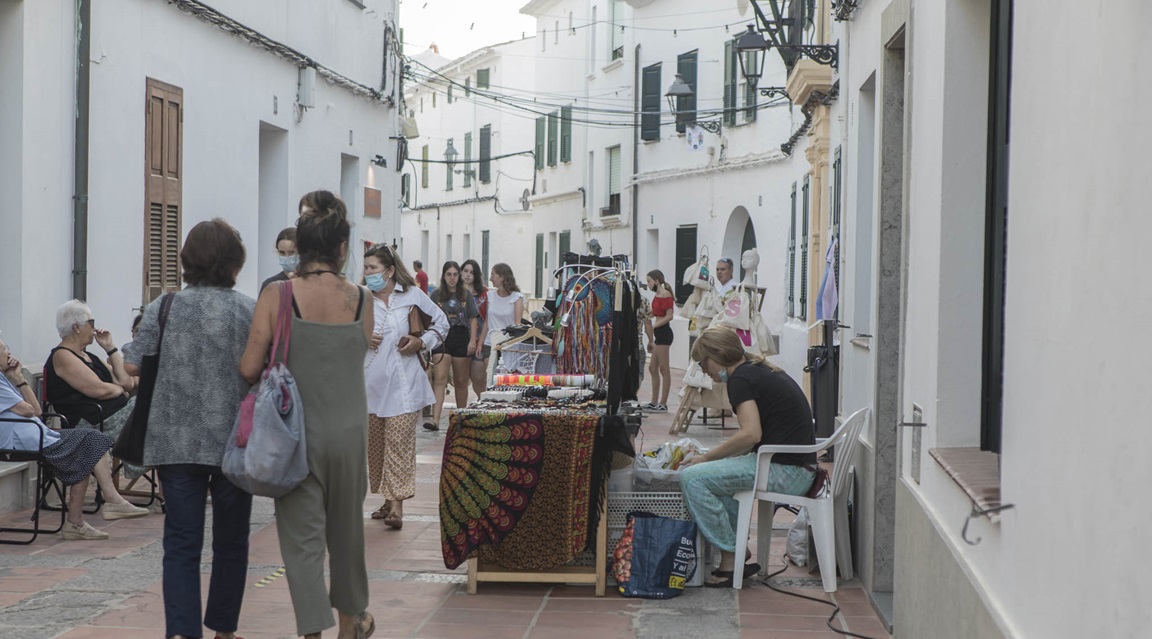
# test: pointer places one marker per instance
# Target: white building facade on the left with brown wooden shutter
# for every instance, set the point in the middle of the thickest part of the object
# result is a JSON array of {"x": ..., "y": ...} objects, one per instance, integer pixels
[{"x": 171, "y": 120}]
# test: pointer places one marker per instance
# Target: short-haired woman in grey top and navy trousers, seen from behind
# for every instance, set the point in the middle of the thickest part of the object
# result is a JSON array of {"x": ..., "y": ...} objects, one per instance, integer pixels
[{"x": 199, "y": 391}]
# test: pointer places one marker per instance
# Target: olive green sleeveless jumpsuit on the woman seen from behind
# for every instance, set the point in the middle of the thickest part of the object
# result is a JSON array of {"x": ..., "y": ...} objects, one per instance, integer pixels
[{"x": 325, "y": 512}]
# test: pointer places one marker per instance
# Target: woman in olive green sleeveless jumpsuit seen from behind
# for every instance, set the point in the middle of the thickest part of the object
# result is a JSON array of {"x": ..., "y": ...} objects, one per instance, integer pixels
[{"x": 331, "y": 330}]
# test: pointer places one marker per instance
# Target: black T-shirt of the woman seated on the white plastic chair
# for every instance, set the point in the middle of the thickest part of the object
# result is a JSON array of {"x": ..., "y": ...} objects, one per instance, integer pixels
[{"x": 786, "y": 417}]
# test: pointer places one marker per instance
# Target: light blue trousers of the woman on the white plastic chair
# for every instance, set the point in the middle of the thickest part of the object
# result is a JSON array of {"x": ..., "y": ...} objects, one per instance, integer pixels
[{"x": 709, "y": 491}]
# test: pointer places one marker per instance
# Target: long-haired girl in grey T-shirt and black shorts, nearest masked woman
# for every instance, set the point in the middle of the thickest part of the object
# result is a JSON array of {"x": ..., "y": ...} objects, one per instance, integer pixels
[{"x": 457, "y": 353}]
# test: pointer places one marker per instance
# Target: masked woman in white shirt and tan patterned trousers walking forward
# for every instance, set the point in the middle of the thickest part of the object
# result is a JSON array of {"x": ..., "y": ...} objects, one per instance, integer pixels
[{"x": 398, "y": 387}]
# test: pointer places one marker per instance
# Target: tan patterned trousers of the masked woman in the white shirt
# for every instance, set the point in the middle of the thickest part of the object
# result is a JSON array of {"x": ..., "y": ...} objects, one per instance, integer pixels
[{"x": 392, "y": 455}]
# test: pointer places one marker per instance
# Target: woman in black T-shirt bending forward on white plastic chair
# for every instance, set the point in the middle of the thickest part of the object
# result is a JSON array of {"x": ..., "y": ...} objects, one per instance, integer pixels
[{"x": 771, "y": 409}]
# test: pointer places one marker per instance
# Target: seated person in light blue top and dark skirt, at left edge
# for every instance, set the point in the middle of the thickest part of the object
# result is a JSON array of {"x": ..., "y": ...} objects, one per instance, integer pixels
[{"x": 72, "y": 455}]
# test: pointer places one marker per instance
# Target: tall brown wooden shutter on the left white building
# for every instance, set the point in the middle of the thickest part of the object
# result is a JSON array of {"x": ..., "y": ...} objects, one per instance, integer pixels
[{"x": 163, "y": 188}]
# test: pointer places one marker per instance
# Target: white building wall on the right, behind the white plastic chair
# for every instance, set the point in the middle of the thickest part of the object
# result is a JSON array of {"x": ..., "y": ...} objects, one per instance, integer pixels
[{"x": 973, "y": 280}]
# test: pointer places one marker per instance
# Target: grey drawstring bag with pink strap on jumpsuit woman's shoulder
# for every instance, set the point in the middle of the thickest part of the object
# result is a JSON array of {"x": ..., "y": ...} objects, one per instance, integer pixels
[{"x": 267, "y": 454}]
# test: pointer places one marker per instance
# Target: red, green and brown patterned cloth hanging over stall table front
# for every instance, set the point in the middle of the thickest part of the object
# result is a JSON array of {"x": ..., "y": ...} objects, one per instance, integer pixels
[{"x": 518, "y": 488}]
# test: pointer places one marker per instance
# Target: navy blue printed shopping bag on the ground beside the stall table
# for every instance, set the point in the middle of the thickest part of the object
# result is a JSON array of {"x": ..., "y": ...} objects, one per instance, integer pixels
[{"x": 655, "y": 558}]
